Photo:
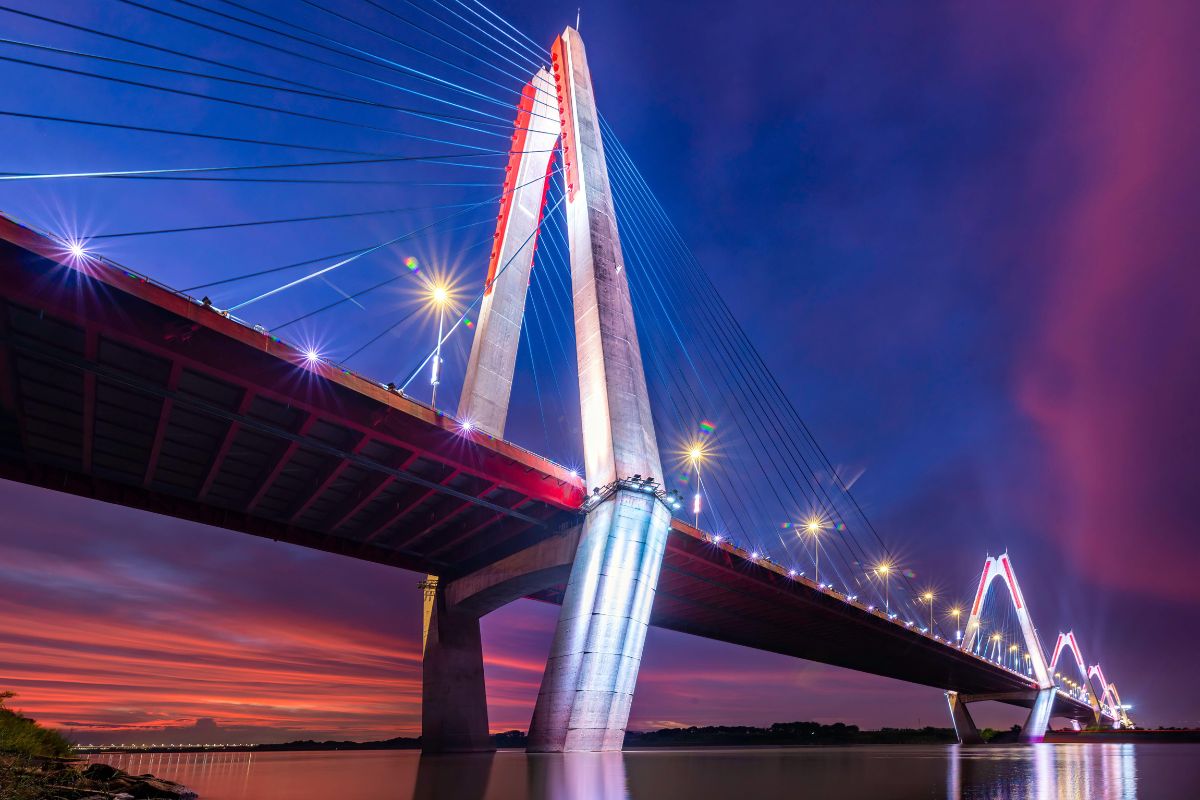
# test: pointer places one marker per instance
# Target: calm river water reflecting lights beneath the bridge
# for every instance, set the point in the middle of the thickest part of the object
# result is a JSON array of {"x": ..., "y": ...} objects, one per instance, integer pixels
[{"x": 1036, "y": 773}]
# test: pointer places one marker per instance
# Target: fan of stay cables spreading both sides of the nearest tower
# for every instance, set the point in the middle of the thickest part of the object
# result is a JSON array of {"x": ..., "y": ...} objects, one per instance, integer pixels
[{"x": 332, "y": 173}]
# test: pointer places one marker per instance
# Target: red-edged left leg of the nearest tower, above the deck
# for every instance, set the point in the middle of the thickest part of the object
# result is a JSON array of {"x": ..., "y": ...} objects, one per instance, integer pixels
[{"x": 494, "y": 353}]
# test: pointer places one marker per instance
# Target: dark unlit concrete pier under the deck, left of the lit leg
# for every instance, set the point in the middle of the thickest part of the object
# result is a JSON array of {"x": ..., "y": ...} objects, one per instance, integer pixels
[{"x": 454, "y": 701}]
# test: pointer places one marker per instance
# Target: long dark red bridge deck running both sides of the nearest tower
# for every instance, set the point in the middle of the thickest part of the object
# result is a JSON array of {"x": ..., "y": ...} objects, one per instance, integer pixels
[{"x": 118, "y": 389}]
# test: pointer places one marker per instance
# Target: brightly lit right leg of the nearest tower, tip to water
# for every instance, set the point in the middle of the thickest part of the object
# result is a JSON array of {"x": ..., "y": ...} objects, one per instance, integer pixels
[{"x": 589, "y": 685}]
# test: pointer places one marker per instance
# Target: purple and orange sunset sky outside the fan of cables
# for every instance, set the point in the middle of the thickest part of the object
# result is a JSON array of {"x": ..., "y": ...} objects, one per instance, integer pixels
[{"x": 965, "y": 239}]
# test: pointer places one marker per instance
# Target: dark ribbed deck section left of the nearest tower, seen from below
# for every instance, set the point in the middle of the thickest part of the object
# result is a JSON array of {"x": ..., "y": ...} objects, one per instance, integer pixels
[{"x": 118, "y": 389}]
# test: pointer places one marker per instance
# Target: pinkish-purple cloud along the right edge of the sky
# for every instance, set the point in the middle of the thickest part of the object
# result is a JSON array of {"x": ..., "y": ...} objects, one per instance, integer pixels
[{"x": 1112, "y": 374}]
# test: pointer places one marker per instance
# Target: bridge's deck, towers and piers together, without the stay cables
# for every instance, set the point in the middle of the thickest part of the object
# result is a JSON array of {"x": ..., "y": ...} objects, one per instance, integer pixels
[{"x": 116, "y": 388}]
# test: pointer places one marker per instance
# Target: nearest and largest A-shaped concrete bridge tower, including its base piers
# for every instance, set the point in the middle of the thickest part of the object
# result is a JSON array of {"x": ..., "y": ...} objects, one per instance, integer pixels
[{"x": 614, "y": 564}]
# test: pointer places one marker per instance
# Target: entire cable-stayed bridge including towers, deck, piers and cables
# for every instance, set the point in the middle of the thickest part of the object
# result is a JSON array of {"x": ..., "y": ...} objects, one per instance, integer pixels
[{"x": 677, "y": 485}]
